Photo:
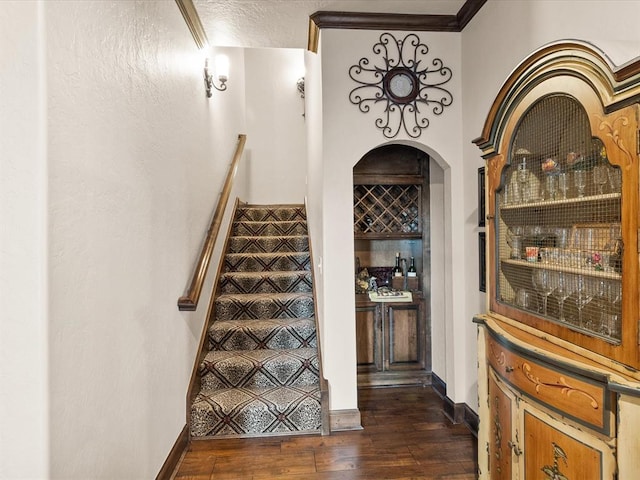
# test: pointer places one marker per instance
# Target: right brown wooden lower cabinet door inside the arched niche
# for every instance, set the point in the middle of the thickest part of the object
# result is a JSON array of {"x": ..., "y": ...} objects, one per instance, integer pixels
[{"x": 405, "y": 334}]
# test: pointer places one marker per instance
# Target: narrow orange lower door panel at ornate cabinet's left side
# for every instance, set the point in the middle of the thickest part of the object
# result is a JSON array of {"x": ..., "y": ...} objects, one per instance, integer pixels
[{"x": 500, "y": 408}]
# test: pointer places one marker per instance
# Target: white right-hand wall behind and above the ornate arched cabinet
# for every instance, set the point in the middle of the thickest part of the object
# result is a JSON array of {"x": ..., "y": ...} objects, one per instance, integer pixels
[{"x": 498, "y": 38}]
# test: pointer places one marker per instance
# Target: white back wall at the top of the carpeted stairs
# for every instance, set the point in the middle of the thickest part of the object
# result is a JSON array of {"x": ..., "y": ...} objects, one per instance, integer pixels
[{"x": 276, "y": 136}]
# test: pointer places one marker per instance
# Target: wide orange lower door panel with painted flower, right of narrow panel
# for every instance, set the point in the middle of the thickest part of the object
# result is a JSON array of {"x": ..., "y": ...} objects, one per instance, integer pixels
[{"x": 553, "y": 450}]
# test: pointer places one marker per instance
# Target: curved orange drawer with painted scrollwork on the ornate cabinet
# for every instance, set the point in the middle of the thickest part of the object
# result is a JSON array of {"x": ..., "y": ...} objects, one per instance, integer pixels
[{"x": 570, "y": 394}]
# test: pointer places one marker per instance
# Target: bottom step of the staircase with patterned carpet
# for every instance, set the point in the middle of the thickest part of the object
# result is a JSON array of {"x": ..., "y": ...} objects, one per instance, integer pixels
[{"x": 251, "y": 411}]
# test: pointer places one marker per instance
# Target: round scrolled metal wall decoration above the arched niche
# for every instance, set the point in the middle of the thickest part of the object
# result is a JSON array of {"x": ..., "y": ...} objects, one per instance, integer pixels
[{"x": 401, "y": 78}]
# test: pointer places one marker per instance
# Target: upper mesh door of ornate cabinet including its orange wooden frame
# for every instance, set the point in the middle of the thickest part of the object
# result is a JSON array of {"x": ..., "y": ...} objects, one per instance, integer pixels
[{"x": 563, "y": 220}]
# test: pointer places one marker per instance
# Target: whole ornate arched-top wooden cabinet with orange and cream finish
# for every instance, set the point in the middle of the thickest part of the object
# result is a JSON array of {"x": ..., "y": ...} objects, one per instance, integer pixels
[{"x": 559, "y": 356}]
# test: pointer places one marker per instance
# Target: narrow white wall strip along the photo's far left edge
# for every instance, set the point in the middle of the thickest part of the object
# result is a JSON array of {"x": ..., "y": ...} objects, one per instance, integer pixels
[{"x": 24, "y": 397}]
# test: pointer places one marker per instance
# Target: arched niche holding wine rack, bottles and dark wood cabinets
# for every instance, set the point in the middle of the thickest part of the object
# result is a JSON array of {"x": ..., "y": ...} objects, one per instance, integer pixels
[{"x": 392, "y": 225}]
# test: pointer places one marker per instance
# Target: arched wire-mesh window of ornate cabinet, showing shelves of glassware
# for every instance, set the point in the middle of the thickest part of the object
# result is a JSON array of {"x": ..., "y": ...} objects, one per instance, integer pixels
[{"x": 558, "y": 215}]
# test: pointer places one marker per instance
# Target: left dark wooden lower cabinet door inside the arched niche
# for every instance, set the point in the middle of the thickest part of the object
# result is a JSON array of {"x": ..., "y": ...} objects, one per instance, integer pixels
[{"x": 368, "y": 341}]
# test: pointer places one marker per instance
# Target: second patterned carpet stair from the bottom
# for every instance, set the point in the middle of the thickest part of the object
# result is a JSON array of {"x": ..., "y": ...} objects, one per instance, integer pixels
[{"x": 259, "y": 368}]
